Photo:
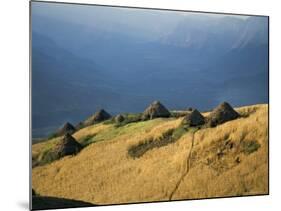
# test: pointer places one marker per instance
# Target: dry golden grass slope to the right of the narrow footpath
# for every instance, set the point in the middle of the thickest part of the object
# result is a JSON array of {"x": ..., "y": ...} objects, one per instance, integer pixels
[{"x": 226, "y": 177}]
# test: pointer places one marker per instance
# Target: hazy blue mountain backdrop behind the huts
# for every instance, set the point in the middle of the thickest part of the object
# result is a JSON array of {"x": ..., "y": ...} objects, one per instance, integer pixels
[{"x": 85, "y": 67}]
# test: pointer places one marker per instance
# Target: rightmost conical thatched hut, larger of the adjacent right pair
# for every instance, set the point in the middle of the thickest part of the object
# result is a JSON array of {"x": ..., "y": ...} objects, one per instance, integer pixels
[{"x": 223, "y": 113}]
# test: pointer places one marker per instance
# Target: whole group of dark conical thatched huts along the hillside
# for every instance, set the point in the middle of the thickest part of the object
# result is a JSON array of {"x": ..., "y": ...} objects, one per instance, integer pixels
[{"x": 192, "y": 118}]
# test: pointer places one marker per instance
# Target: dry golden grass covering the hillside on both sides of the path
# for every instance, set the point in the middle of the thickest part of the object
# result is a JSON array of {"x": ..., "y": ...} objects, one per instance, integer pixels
[{"x": 103, "y": 173}]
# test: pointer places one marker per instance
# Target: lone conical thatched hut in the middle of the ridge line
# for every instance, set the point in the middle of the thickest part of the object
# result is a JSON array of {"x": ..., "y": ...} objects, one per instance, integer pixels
[{"x": 156, "y": 109}]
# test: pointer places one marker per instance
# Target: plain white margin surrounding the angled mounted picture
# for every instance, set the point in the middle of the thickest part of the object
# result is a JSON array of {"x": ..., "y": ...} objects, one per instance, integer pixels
[{"x": 14, "y": 45}]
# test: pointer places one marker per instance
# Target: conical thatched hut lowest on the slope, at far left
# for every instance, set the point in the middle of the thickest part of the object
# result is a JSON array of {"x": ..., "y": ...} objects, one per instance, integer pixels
[{"x": 68, "y": 146}]
